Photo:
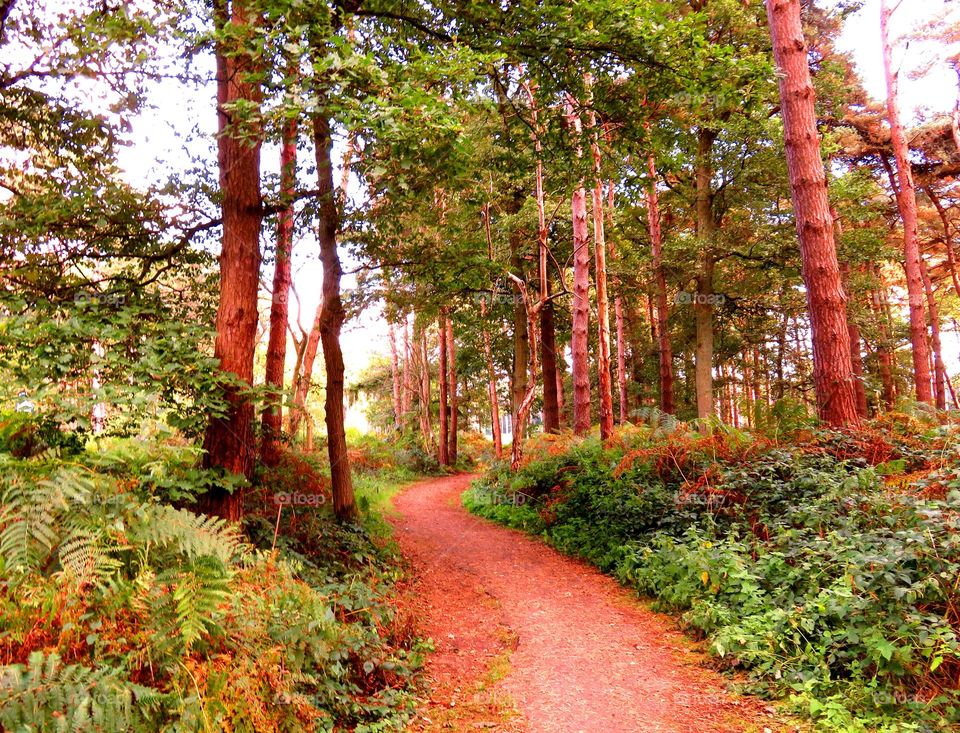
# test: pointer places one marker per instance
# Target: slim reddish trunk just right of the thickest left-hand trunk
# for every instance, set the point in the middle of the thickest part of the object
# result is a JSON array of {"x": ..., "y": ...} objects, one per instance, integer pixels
[{"x": 279, "y": 306}]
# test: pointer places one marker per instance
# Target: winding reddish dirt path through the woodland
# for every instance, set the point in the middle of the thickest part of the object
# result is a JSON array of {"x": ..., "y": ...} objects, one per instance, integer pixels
[{"x": 526, "y": 639}]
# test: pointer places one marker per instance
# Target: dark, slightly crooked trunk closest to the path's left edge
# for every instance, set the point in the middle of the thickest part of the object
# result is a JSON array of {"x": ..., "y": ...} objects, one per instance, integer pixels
[{"x": 331, "y": 322}]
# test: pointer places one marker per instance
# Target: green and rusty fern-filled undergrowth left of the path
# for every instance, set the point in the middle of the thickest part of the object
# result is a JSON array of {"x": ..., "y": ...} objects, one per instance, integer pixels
[{"x": 122, "y": 610}]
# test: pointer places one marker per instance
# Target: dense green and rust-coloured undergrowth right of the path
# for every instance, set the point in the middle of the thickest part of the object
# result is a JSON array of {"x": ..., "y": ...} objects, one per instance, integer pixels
[{"x": 826, "y": 569}]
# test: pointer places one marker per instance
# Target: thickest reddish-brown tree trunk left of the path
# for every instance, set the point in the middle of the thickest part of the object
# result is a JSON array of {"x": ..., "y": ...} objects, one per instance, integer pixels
[{"x": 228, "y": 442}]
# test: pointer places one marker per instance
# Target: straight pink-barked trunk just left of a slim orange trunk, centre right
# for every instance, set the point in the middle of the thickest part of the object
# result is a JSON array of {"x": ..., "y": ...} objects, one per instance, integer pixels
[{"x": 579, "y": 341}]
